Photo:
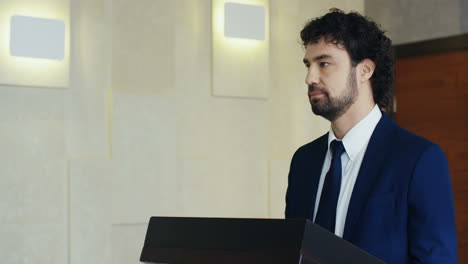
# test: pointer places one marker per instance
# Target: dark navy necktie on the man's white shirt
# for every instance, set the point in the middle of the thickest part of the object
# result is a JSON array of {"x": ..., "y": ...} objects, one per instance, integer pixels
[{"x": 326, "y": 213}]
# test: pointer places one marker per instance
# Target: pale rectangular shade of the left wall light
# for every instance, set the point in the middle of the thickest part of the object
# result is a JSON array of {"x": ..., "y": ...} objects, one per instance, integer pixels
[{"x": 37, "y": 37}]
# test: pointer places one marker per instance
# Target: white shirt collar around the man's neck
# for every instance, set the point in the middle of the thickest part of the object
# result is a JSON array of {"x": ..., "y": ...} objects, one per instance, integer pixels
[{"x": 358, "y": 137}]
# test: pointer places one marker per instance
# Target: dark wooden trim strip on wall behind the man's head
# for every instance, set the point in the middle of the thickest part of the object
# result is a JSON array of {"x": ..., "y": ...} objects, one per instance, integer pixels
[{"x": 432, "y": 46}]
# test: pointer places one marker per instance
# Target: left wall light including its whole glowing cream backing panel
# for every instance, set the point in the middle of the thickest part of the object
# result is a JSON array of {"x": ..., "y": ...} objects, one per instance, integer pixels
[{"x": 35, "y": 43}]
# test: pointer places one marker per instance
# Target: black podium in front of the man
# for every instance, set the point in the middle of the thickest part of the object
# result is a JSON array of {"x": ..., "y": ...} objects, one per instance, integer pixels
[{"x": 179, "y": 240}]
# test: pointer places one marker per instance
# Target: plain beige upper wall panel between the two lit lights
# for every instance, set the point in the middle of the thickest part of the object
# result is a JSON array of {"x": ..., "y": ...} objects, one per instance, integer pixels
[{"x": 143, "y": 43}]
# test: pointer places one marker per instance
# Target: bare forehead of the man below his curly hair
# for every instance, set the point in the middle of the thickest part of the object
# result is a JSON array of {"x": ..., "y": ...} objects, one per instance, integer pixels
[{"x": 314, "y": 50}]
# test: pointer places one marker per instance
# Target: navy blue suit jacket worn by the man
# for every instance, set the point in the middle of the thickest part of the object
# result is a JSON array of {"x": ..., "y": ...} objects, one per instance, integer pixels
[{"x": 401, "y": 209}]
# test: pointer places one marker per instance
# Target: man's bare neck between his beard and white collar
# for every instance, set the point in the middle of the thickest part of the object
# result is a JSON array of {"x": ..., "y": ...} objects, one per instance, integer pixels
[{"x": 348, "y": 120}]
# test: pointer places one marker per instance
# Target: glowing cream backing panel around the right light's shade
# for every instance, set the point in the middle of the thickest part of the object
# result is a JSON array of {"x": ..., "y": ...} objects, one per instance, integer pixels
[{"x": 240, "y": 66}]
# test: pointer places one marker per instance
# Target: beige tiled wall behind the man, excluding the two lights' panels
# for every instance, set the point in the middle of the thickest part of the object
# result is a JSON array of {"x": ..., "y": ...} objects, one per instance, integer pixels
[{"x": 138, "y": 133}]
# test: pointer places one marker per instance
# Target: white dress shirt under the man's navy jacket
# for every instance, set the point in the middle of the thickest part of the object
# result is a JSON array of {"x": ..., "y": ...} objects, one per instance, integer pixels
[{"x": 355, "y": 143}]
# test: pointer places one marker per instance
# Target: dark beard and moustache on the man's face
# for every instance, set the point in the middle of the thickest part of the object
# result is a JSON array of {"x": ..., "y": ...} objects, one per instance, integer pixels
[{"x": 331, "y": 108}]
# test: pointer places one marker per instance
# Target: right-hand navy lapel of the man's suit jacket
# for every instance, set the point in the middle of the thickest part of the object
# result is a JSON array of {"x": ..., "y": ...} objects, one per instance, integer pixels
[{"x": 374, "y": 159}]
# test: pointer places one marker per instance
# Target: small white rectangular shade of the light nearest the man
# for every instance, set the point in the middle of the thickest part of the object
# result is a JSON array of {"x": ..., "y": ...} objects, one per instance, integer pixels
[{"x": 244, "y": 21}]
